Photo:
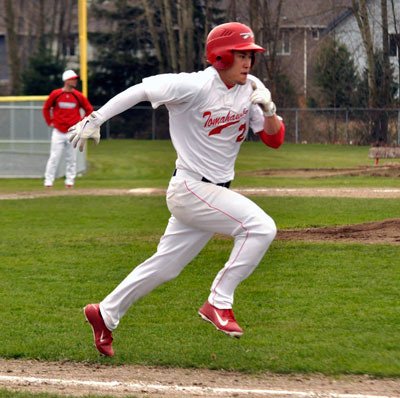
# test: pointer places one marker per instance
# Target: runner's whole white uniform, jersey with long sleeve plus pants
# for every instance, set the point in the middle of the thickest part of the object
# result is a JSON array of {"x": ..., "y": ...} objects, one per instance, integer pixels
[{"x": 208, "y": 123}]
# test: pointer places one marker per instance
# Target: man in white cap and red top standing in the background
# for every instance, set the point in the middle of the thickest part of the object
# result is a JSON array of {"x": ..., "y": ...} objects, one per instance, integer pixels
[{"x": 61, "y": 111}]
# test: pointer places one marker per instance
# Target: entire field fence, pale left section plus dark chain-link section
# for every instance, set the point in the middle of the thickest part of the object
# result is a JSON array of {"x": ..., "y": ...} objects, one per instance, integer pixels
[{"x": 25, "y": 138}]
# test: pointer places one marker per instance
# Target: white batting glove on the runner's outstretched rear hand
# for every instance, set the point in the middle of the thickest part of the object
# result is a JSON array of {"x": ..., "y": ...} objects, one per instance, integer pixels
[{"x": 87, "y": 128}]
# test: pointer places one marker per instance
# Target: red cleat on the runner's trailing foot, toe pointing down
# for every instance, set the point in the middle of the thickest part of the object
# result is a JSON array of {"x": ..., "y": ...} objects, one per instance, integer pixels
[{"x": 102, "y": 336}]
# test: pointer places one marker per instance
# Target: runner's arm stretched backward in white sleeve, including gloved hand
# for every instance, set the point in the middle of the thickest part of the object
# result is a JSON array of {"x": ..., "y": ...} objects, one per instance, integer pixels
[{"x": 89, "y": 127}]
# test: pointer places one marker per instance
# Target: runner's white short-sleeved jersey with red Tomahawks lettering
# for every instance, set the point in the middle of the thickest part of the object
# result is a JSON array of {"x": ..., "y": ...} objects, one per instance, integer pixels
[{"x": 208, "y": 121}]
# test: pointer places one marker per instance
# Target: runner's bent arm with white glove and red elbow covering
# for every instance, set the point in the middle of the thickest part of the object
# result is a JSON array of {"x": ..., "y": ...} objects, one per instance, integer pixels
[{"x": 273, "y": 134}]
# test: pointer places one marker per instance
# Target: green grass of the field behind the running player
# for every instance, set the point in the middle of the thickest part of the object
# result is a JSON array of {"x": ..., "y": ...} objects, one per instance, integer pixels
[{"x": 309, "y": 307}]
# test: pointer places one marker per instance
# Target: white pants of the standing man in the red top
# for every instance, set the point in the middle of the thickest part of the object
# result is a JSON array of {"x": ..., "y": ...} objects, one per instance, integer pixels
[{"x": 59, "y": 145}]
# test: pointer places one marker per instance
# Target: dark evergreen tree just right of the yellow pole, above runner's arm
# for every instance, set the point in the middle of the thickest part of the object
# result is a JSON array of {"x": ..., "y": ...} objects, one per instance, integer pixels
[{"x": 123, "y": 54}]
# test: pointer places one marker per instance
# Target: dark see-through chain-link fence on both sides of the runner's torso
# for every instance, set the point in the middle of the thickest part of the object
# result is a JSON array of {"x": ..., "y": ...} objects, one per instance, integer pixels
[{"x": 356, "y": 126}]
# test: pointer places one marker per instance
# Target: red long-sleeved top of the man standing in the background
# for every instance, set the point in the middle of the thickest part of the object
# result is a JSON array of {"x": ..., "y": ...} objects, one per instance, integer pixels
[{"x": 62, "y": 108}]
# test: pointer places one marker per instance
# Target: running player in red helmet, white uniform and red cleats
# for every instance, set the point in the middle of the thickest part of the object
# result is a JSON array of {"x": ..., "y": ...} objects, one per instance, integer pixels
[{"x": 210, "y": 113}]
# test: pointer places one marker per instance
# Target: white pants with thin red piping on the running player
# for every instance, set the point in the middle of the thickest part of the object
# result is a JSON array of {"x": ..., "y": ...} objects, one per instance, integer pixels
[{"x": 199, "y": 210}]
